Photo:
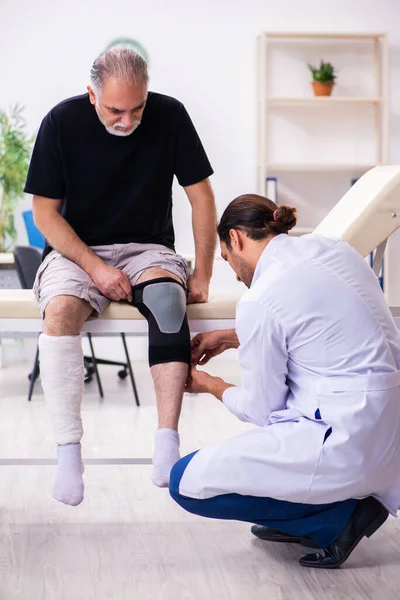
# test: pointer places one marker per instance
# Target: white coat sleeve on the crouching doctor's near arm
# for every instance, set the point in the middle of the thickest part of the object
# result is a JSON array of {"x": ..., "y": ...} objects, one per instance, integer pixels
[{"x": 263, "y": 361}]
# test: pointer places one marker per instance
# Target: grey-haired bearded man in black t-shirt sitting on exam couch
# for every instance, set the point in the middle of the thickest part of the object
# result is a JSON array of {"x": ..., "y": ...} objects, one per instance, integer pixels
[{"x": 101, "y": 175}]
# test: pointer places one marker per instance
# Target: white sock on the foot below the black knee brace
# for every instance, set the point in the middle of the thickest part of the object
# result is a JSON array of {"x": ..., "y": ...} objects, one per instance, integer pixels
[{"x": 166, "y": 454}]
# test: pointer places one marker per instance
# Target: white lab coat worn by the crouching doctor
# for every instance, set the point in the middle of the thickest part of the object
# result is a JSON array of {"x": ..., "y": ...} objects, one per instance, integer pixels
[{"x": 318, "y": 349}]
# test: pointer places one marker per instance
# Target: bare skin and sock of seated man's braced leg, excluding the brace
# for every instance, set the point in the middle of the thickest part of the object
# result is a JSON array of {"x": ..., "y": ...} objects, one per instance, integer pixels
[{"x": 169, "y": 382}]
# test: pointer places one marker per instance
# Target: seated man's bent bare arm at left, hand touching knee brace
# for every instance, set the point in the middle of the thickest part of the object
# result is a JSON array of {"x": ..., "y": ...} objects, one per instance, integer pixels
[{"x": 111, "y": 282}]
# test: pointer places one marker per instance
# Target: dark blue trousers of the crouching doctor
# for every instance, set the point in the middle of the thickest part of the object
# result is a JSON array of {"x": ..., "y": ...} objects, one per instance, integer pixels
[{"x": 321, "y": 522}]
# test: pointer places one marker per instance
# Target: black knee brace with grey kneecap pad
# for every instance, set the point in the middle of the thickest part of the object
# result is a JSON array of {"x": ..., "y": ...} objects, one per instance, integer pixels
[{"x": 163, "y": 304}]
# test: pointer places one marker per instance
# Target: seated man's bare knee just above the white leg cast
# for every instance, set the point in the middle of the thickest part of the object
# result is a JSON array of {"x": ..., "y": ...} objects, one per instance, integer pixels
[{"x": 65, "y": 315}]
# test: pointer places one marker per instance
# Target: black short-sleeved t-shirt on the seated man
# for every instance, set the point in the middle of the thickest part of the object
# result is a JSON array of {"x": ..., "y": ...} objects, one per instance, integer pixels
[{"x": 117, "y": 189}]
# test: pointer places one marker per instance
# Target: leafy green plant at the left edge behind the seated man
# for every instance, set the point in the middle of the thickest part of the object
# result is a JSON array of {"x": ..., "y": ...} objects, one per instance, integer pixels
[{"x": 15, "y": 150}]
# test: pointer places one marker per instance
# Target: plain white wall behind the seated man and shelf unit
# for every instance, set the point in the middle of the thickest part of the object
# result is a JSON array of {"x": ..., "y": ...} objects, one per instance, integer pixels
[{"x": 204, "y": 53}]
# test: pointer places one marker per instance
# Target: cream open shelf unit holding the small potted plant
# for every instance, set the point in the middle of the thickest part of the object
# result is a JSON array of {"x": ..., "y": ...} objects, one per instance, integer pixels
[{"x": 377, "y": 99}]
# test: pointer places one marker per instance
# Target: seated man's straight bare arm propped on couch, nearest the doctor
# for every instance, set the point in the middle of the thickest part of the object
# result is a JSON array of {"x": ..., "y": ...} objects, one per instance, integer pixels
[{"x": 204, "y": 223}]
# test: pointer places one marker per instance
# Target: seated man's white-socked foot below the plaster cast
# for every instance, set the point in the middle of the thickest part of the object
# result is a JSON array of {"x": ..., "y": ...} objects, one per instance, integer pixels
[{"x": 68, "y": 485}]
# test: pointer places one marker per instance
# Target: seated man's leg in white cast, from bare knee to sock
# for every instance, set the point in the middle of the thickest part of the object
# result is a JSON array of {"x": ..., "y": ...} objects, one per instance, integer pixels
[{"x": 62, "y": 373}]
